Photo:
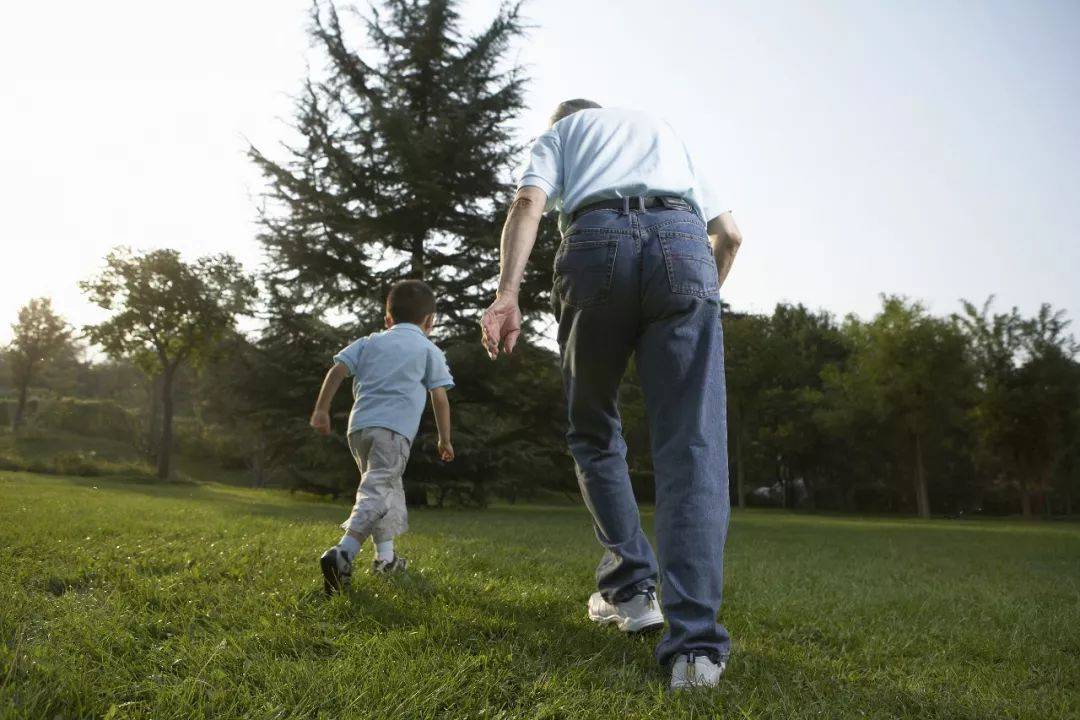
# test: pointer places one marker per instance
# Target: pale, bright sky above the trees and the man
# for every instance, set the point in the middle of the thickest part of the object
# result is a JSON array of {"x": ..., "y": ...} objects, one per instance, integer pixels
[{"x": 930, "y": 150}]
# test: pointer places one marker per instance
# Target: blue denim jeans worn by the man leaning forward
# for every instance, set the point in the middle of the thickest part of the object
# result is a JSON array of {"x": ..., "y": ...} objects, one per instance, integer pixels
[{"x": 644, "y": 283}]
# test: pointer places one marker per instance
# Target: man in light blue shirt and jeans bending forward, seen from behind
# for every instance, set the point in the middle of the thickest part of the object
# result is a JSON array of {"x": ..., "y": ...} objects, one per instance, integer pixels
[{"x": 639, "y": 274}]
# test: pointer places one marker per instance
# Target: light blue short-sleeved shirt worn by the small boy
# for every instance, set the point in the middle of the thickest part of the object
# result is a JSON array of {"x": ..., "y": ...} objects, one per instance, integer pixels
[{"x": 393, "y": 373}]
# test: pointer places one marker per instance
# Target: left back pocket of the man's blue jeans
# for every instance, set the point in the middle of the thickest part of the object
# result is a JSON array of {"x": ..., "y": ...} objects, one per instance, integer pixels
[{"x": 585, "y": 267}]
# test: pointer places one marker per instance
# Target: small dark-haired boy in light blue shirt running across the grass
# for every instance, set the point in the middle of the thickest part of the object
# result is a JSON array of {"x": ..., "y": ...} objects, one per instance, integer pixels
[{"x": 391, "y": 372}]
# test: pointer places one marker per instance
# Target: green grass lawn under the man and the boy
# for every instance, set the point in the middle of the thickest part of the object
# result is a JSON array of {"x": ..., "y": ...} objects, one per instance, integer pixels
[{"x": 128, "y": 601}]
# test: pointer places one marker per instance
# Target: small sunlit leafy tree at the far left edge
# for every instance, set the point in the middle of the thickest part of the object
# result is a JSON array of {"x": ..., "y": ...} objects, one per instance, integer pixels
[{"x": 40, "y": 337}]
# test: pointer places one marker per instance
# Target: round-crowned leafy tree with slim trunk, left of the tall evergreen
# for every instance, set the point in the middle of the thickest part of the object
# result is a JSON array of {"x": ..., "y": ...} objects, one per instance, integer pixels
[{"x": 167, "y": 313}]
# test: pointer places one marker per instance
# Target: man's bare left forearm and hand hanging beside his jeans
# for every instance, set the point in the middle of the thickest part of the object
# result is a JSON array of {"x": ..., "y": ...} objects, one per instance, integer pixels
[{"x": 502, "y": 323}]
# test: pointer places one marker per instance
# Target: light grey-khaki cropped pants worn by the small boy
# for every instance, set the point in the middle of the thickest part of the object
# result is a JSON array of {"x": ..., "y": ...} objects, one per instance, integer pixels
[{"x": 380, "y": 511}]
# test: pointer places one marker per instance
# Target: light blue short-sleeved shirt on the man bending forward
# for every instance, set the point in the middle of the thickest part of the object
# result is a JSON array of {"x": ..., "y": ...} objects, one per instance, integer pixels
[{"x": 605, "y": 154}]
